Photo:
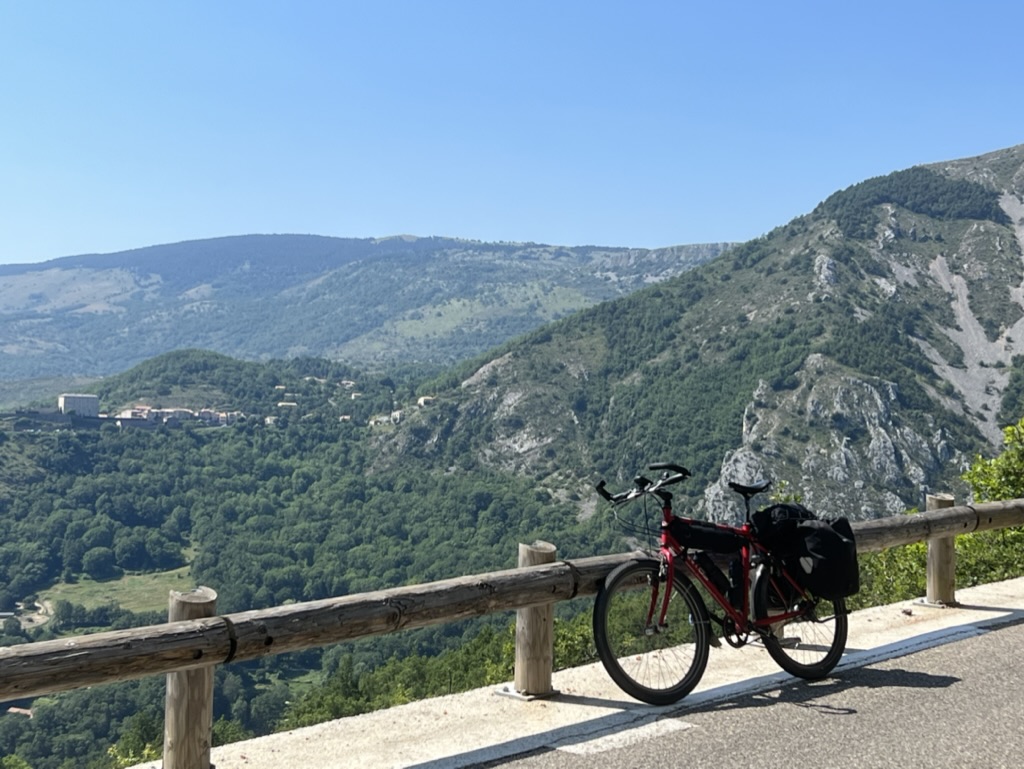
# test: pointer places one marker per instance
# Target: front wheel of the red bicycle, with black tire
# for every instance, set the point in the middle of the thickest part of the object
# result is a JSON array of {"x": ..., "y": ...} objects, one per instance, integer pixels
[{"x": 655, "y": 667}]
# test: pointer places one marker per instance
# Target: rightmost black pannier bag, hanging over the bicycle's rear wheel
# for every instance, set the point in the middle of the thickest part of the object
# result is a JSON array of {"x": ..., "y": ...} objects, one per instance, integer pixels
[{"x": 827, "y": 564}]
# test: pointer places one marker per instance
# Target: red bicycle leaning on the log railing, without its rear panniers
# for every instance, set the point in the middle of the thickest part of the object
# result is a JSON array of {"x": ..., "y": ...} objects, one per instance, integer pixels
[{"x": 653, "y": 627}]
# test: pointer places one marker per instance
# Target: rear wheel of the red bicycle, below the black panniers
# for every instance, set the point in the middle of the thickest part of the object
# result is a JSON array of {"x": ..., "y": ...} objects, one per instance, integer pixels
[{"x": 808, "y": 647}]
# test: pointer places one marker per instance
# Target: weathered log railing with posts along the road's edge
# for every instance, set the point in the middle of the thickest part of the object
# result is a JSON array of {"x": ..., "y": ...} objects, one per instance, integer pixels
[{"x": 193, "y": 643}]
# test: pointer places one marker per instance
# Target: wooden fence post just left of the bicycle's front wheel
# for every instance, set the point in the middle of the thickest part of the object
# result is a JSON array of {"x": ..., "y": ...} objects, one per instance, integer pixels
[{"x": 535, "y": 640}]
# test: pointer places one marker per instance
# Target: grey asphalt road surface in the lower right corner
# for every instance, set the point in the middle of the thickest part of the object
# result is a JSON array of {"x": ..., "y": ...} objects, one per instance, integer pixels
[{"x": 959, "y": 705}]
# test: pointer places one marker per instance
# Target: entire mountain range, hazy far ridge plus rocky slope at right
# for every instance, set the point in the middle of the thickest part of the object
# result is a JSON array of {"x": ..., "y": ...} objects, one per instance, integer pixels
[{"x": 861, "y": 355}]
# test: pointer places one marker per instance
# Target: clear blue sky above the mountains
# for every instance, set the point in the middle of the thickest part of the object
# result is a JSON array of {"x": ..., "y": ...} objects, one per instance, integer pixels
[{"x": 644, "y": 124}]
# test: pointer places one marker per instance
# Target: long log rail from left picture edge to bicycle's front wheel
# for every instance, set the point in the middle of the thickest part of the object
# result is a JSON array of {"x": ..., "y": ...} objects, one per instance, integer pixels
[{"x": 72, "y": 663}]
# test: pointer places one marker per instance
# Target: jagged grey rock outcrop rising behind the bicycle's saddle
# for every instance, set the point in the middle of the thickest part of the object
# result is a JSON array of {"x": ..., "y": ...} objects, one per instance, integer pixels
[{"x": 836, "y": 443}]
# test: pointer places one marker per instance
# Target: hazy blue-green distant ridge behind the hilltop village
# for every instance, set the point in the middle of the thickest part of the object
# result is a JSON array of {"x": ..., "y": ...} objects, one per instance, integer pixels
[{"x": 389, "y": 303}]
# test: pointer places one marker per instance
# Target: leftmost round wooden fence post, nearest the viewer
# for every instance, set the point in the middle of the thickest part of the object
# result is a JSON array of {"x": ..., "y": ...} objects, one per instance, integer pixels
[{"x": 189, "y": 712}]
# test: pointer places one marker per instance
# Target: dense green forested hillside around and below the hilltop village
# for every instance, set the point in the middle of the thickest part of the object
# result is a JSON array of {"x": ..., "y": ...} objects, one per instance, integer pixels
[{"x": 284, "y": 505}]
